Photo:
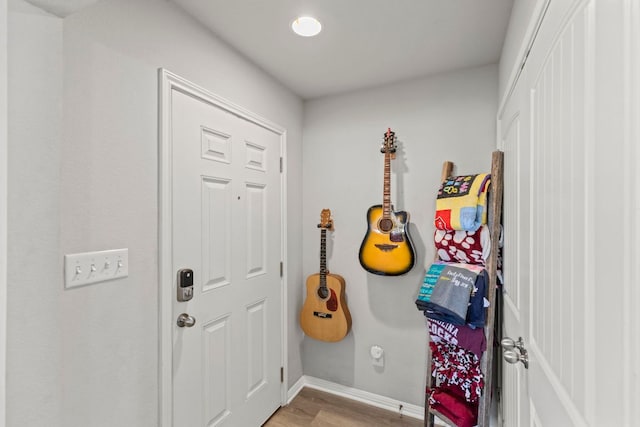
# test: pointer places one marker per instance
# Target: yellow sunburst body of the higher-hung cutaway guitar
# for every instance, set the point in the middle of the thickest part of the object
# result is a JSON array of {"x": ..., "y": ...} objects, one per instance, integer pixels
[{"x": 387, "y": 253}]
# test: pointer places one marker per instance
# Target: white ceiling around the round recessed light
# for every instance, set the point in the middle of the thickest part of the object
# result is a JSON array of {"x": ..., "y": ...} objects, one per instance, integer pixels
[{"x": 364, "y": 43}]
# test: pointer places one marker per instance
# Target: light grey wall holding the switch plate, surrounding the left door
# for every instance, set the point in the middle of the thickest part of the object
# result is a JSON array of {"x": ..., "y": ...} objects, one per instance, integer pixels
[{"x": 83, "y": 176}]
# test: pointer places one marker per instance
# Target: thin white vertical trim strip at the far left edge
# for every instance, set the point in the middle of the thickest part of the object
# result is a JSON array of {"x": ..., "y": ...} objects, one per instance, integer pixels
[{"x": 4, "y": 121}]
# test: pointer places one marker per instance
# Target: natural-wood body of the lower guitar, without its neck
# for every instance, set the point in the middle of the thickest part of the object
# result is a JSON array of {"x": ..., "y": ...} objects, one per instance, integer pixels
[{"x": 325, "y": 319}]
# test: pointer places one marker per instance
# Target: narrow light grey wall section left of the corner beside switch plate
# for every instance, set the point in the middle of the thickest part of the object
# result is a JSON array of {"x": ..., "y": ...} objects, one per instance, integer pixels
[{"x": 35, "y": 316}]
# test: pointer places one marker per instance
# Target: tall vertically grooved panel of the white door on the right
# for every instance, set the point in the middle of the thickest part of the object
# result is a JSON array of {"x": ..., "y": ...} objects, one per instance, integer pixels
[{"x": 559, "y": 214}]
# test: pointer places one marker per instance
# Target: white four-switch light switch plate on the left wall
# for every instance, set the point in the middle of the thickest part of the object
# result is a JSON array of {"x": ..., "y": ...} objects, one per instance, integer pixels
[{"x": 93, "y": 267}]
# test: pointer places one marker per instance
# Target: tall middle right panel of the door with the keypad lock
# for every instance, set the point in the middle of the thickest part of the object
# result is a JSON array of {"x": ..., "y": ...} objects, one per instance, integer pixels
[{"x": 256, "y": 229}]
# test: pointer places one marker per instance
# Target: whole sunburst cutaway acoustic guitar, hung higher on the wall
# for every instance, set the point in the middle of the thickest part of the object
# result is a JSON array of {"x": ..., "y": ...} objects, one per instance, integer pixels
[{"x": 387, "y": 249}]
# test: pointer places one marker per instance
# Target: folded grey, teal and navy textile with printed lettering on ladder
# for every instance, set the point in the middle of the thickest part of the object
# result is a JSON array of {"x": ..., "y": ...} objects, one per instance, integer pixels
[{"x": 454, "y": 293}]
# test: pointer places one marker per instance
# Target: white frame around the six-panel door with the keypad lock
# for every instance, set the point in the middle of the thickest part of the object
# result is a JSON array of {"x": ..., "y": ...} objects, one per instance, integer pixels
[{"x": 167, "y": 82}]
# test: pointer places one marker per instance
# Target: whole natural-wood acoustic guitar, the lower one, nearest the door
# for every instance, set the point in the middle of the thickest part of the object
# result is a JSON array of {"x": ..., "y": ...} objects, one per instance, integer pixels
[{"x": 325, "y": 315}]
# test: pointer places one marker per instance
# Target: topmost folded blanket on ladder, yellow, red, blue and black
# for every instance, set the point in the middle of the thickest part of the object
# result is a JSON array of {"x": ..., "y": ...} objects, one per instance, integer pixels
[{"x": 461, "y": 203}]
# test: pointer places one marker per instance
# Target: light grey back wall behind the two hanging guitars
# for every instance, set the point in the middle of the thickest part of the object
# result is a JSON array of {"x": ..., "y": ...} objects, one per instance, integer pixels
[{"x": 445, "y": 117}]
